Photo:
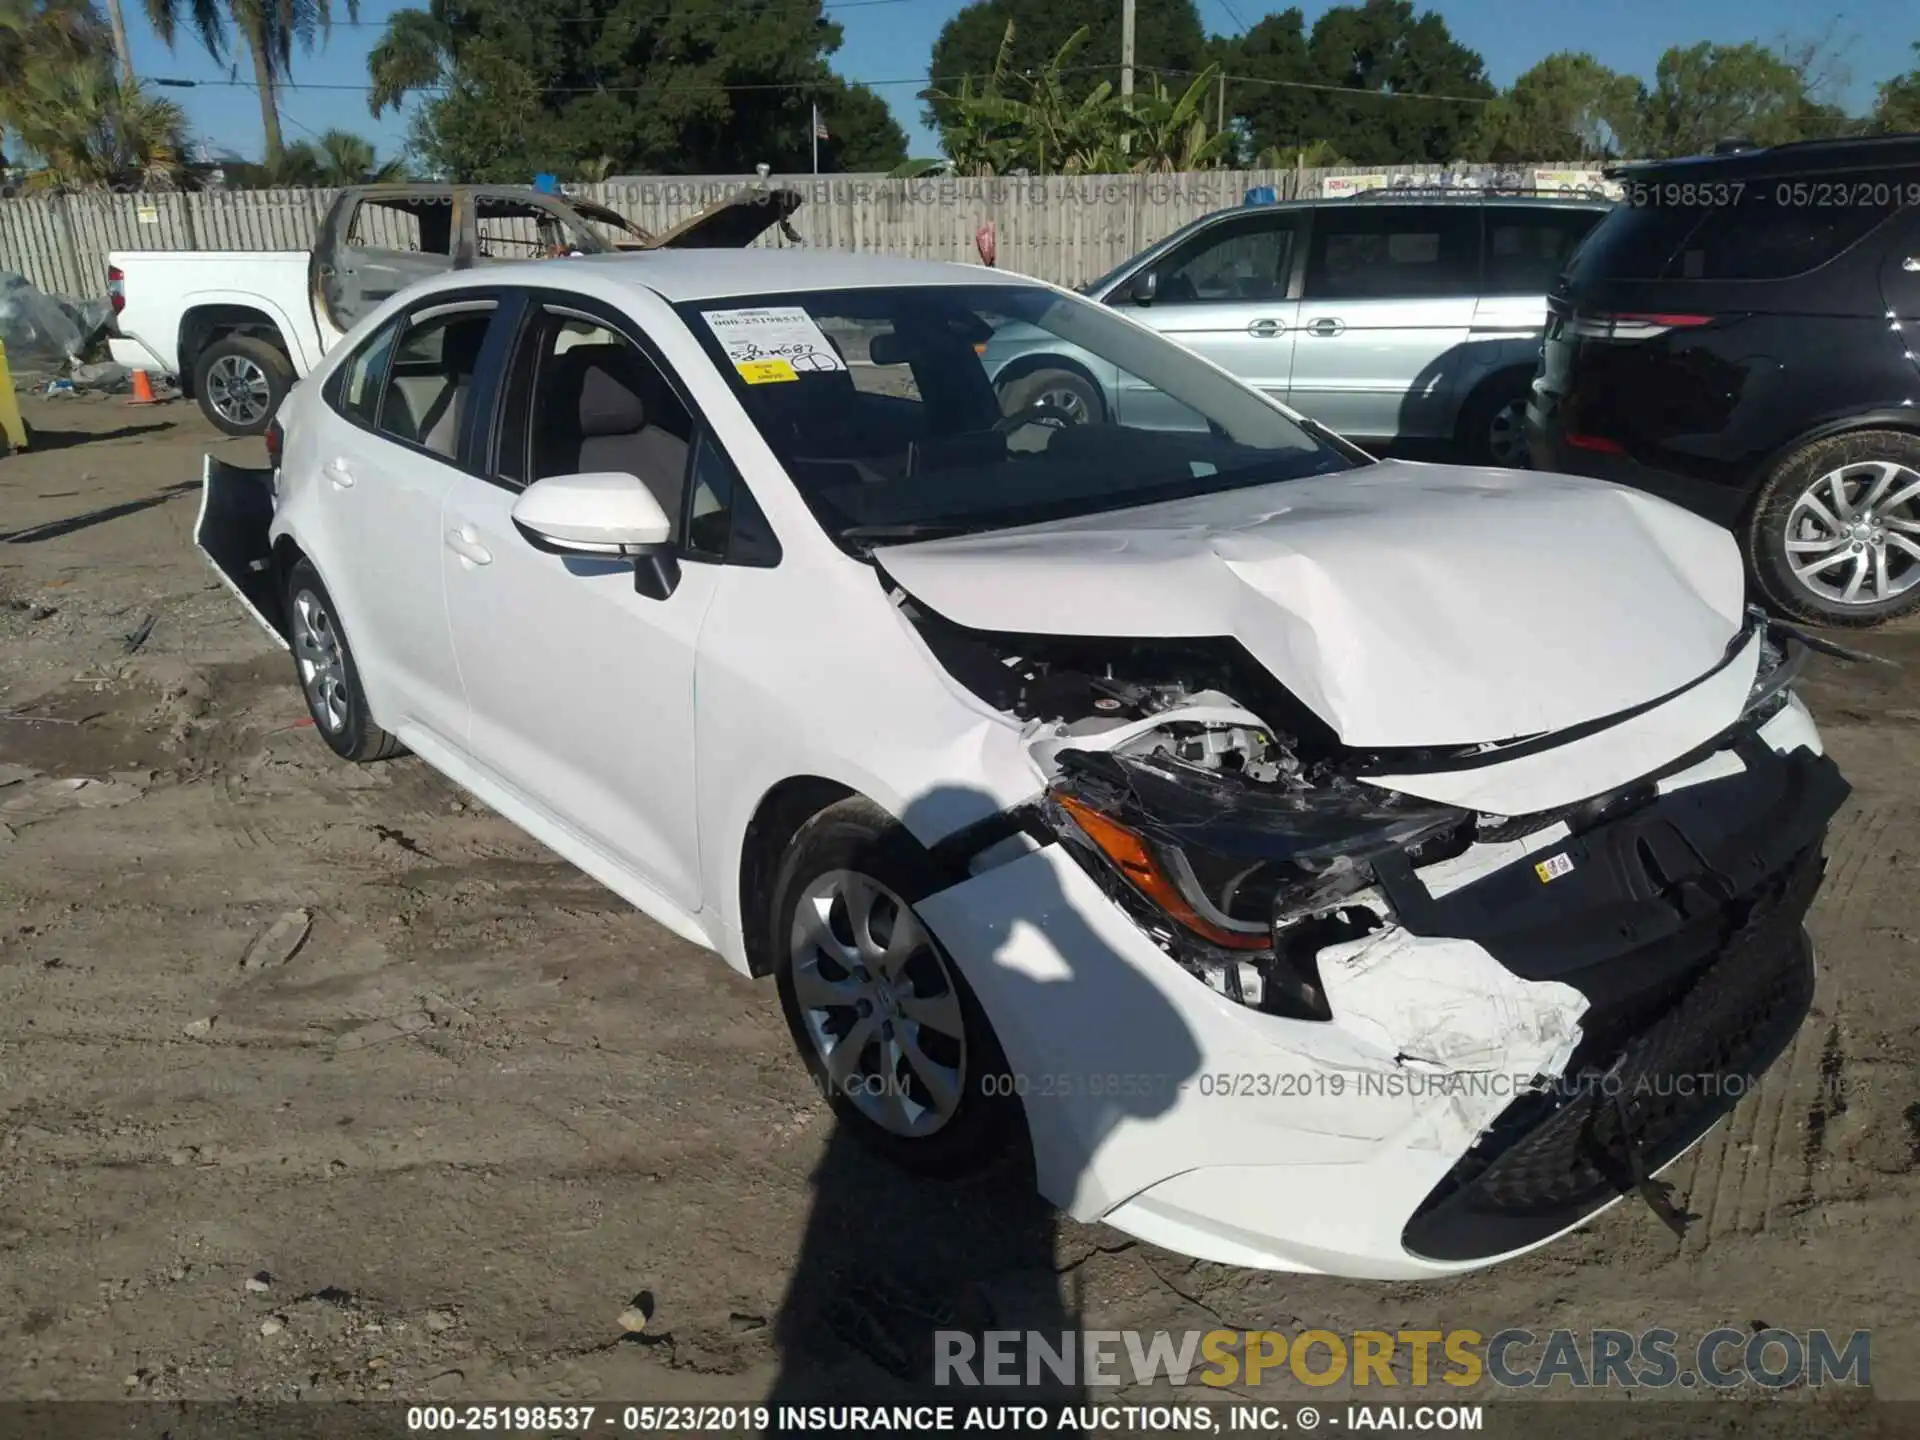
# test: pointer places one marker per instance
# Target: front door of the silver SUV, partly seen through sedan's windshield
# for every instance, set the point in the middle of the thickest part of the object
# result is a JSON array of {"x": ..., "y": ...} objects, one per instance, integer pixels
[{"x": 1224, "y": 295}]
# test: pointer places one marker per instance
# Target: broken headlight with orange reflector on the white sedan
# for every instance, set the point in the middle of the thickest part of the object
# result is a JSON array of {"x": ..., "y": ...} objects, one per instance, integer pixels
[{"x": 1228, "y": 871}]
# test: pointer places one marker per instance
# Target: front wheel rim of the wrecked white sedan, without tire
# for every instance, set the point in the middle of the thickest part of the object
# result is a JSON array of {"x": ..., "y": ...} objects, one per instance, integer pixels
[{"x": 878, "y": 1003}]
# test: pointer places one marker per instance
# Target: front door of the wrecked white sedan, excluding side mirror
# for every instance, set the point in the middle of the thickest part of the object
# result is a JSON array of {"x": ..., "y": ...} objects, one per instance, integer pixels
[{"x": 581, "y": 686}]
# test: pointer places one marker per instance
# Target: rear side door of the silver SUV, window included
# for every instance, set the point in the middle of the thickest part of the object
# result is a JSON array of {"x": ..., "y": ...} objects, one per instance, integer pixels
[{"x": 1385, "y": 314}]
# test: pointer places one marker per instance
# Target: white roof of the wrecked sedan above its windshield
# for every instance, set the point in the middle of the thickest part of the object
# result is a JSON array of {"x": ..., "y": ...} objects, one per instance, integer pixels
[{"x": 719, "y": 274}]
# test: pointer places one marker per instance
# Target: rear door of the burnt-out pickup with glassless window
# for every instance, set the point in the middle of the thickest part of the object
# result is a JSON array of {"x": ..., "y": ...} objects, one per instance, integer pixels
[{"x": 373, "y": 249}]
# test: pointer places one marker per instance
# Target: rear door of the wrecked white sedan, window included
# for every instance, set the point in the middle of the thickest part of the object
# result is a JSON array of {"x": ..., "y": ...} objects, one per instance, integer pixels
[{"x": 387, "y": 454}]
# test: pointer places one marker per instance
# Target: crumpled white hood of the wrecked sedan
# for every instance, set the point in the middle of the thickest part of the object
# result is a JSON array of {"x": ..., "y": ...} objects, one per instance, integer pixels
[{"x": 1403, "y": 604}]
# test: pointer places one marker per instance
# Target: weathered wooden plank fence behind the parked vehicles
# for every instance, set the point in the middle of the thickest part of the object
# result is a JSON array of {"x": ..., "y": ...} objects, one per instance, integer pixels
[{"x": 1067, "y": 229}]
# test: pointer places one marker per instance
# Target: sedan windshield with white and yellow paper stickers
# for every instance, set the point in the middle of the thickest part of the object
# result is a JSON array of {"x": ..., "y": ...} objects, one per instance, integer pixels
[{"x": 905, "y": 414}]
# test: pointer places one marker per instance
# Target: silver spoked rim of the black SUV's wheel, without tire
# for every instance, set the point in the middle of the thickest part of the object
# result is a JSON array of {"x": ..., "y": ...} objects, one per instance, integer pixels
[{"x": 1854, "y": 535}]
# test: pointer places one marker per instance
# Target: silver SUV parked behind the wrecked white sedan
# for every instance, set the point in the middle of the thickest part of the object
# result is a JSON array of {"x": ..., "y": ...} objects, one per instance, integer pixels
[{"x": 1383, "y": 318}]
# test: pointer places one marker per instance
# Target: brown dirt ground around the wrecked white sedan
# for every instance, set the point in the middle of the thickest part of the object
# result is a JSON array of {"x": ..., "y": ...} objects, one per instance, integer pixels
[{"x": 485, "y": 1107}]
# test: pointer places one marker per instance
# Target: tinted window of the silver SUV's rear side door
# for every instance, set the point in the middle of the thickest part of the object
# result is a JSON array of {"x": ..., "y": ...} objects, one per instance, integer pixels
[{"x": 1395, "y": 252}]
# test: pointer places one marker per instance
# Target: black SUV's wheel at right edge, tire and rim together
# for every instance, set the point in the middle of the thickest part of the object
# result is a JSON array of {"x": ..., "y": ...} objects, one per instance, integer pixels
[{"x": 1835, "y": 537}]
